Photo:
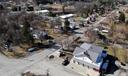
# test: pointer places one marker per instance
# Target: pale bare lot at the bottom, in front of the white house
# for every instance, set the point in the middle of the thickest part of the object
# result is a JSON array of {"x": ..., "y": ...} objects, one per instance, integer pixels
[{"x": 55, "y": 68}]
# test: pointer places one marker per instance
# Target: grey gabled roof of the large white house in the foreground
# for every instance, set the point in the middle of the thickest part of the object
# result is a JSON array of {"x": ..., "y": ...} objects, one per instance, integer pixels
[{"x": 88, "y": 50}]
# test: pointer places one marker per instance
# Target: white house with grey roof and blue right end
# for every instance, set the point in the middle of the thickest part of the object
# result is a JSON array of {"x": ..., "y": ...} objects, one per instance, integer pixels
[{"x": 89, "y": 55}]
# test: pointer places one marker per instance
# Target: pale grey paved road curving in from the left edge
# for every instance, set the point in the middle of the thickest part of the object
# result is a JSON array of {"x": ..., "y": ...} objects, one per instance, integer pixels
[{"x": 14, "y": 67}]
